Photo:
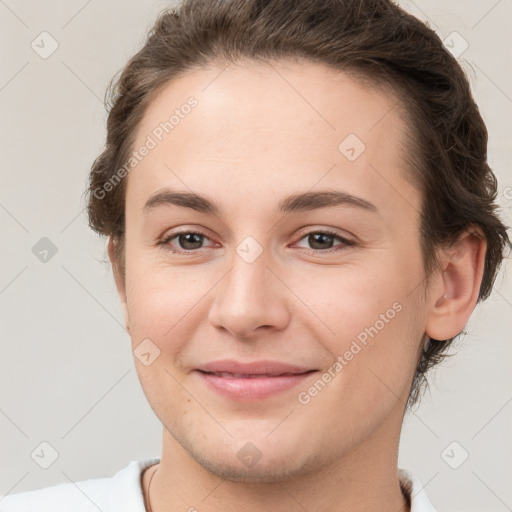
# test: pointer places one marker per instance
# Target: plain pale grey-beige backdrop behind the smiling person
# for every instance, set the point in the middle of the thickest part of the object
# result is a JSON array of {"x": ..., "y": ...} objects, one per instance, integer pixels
[{"x": 67, "y": 375}]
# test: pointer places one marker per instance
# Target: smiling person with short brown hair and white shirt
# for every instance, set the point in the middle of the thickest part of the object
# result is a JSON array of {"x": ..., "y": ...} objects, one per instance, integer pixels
[{"x": 301, "y": 219}]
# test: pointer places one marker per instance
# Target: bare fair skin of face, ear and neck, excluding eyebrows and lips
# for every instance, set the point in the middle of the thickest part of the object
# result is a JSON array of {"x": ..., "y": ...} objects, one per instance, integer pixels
[{"x": 252, "y": 141}]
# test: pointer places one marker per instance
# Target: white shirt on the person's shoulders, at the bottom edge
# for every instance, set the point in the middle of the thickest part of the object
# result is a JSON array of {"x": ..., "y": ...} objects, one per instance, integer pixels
[{"x": 123, "y": 493}]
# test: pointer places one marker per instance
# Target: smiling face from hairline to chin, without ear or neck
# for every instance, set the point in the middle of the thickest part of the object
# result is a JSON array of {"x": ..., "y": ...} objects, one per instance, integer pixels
[{"x": 301, "y": 255}]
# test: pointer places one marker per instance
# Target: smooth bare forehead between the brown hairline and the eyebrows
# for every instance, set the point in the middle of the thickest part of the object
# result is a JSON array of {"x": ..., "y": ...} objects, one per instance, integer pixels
[{"x": 284, "y": 124}]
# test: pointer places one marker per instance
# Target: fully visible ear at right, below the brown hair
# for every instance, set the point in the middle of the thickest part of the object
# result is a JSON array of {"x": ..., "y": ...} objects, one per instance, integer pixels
[{"x": 455, "y": 293}]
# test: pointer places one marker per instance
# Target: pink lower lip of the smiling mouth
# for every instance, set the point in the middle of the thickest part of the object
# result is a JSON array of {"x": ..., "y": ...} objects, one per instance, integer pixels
[{"x": 251, "y": 388}]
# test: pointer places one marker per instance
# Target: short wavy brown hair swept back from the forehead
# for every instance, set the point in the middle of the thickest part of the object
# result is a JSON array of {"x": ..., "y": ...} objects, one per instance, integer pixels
[{"x": 374, "y": 39}]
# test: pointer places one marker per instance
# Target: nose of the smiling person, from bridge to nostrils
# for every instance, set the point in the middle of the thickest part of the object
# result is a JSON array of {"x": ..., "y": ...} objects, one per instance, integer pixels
[{"x": 250, "y": 299}]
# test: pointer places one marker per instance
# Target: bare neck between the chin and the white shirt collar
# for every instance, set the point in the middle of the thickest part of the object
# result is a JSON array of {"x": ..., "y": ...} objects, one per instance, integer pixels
[{"x": 362, "y": 480}]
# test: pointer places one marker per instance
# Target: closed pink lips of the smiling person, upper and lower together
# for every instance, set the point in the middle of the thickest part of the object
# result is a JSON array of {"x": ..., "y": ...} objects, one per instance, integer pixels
[{"x": 252, "y": 381}]
